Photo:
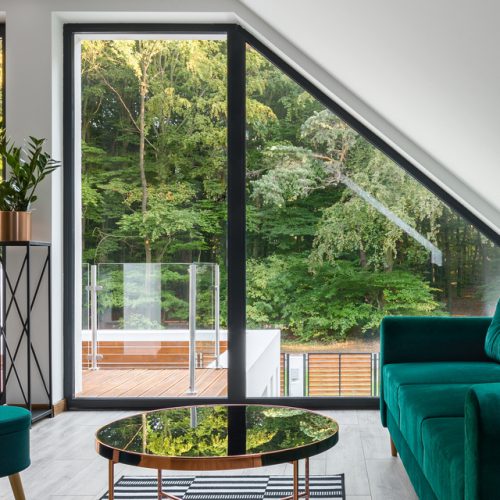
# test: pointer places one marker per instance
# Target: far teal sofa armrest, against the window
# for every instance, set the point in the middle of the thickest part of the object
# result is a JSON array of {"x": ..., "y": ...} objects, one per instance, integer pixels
[{"x": 409, "y": 339}]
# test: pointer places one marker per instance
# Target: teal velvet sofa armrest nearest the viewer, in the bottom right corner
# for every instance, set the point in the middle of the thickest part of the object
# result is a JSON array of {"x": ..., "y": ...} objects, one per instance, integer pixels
[{"x": 482, "y": 441}]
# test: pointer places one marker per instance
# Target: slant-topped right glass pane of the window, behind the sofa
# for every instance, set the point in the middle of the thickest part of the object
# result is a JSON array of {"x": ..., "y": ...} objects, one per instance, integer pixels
[{"x": 338, "y": 237}]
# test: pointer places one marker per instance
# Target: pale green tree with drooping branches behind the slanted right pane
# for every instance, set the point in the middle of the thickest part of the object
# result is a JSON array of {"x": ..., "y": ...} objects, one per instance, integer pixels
[{"x": 352, "y": 225}]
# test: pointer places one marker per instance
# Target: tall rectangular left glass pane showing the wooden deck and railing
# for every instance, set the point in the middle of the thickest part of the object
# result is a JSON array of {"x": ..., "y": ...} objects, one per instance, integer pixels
[{"x": 153, "y": 189}]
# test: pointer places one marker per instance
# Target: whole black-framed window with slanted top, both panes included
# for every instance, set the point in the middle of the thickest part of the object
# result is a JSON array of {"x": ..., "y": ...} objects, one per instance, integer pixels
[{"x": 234, "y": 234}]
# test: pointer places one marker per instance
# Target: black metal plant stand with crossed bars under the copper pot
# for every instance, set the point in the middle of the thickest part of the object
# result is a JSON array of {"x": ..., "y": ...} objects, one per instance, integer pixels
[{"x": 20, "y": 361}]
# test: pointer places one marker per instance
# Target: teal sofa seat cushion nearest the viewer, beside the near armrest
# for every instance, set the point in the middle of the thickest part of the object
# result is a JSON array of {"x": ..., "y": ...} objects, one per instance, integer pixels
[{"x": 443, "y": 440}]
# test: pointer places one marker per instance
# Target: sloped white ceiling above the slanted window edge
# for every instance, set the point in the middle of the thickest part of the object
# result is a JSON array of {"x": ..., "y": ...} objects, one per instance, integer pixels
[{"x": 430, "y": 69}]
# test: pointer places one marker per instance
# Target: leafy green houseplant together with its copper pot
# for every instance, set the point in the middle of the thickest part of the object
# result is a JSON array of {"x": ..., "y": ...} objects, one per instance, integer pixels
[{"x": 27, "y": 168}]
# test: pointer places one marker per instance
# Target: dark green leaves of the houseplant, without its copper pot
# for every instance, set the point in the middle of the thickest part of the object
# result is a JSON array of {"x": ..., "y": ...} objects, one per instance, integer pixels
[{"x": 27, "y": 170}]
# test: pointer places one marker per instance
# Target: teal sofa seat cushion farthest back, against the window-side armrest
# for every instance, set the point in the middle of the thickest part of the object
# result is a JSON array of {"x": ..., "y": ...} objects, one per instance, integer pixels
[{"x": 398, "y": 375}]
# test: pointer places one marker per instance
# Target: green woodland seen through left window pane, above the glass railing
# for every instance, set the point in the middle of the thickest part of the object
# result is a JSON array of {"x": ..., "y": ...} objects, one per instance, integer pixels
[{"x": 185, "y": 159}]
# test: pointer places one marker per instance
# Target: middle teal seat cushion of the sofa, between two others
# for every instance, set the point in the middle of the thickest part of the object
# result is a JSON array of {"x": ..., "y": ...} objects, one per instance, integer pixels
[{"x": 417, "y": 403}]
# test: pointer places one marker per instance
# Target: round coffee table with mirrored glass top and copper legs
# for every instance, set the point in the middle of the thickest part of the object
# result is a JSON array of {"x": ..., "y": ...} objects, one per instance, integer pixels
[{"x": 217, "y": 437}]
